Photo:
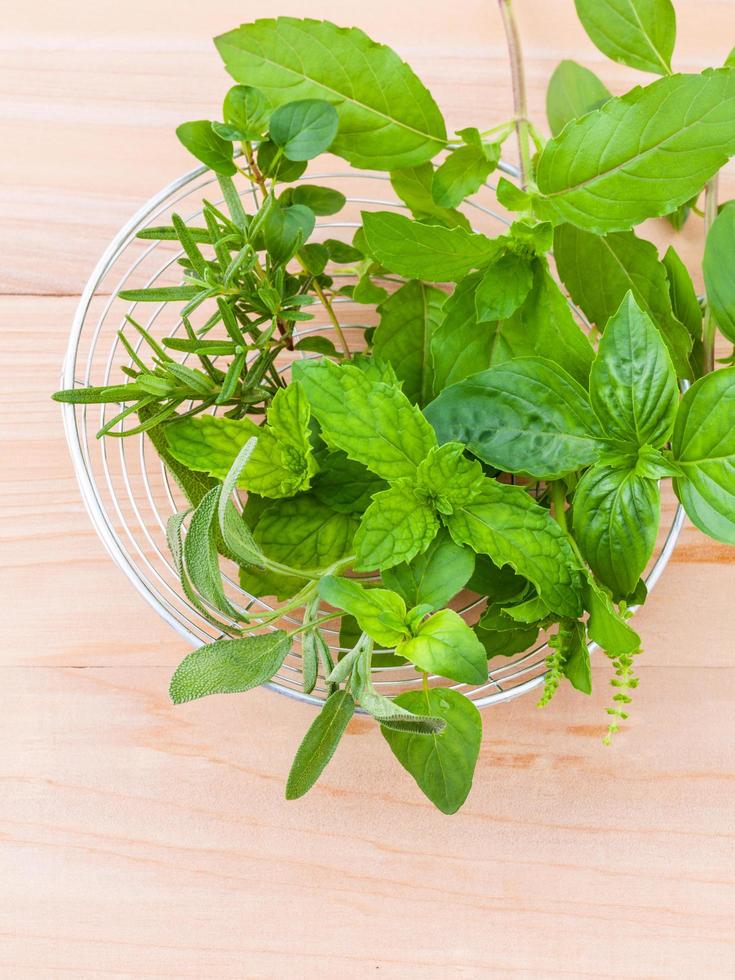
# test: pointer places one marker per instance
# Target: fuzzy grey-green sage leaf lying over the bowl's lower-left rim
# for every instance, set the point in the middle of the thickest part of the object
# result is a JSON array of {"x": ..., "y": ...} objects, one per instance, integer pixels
[{"x": 229, "y": 666}]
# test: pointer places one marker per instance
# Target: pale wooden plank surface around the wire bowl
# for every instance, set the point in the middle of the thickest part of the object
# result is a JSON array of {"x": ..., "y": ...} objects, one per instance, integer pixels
[{"x": 138, "y": 840}]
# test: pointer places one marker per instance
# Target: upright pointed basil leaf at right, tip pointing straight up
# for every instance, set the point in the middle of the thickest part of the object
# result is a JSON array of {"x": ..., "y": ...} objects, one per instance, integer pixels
[{"x": 633, "y": 383}]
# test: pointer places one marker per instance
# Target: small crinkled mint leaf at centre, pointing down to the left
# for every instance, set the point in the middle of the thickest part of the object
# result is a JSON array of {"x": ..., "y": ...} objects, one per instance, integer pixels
[{"x": 399, "y": 524}]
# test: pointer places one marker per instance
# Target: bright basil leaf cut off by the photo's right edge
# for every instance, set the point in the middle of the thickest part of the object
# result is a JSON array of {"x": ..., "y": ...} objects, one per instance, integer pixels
[{"x": 704, "y": 448}]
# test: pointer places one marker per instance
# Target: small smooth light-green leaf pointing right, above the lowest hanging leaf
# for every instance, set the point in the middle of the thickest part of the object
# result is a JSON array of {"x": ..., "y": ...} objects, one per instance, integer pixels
[{"x": 444, "y": 644}]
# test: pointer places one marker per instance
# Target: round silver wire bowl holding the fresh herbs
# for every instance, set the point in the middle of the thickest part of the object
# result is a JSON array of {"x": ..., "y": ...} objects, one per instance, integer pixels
[{"x": 127, "y": 490}]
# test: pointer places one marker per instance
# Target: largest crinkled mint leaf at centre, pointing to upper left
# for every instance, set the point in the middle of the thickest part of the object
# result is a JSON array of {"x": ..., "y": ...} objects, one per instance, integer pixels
[{"x": 373, "y": 423}]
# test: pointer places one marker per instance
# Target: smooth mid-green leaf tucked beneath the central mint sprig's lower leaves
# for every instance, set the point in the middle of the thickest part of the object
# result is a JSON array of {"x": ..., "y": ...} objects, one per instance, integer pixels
[{"x": 433, "y": 577}]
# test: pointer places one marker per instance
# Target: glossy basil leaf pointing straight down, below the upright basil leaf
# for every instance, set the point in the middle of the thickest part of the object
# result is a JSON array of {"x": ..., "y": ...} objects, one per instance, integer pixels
[{"x": 615, "y": 519}]
